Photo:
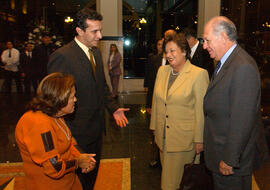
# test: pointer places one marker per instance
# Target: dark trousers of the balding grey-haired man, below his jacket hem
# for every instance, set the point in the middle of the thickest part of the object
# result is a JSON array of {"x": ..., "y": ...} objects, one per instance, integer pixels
[{"x": 232, "y": 182}]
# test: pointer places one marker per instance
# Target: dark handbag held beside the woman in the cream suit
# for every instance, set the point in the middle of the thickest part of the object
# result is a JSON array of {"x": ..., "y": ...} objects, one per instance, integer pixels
[{"x": 196, "y": 176}]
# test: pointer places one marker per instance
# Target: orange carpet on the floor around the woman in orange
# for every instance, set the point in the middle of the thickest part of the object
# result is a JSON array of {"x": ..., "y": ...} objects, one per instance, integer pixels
[{"x": 114, "y": 174}]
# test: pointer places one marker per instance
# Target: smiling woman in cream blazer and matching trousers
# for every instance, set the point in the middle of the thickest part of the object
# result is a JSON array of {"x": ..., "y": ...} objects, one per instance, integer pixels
[{"x": 177, "y": 111}]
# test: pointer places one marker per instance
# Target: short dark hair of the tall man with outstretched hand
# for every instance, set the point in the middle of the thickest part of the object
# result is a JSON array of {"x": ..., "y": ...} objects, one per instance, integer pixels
[{"x": 86, "y": 13}]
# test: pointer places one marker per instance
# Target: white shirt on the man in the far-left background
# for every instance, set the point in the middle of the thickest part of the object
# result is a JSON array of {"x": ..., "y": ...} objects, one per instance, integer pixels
[{"x": 11, "y": 62}]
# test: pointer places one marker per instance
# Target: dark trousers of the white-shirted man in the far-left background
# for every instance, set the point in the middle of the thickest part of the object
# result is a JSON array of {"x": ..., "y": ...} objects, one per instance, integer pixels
[{"x": 9, "y": 75}]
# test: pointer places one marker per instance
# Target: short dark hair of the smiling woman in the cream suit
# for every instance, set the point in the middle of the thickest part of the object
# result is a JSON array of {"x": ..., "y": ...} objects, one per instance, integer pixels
[{"x": 181, "y": 42}]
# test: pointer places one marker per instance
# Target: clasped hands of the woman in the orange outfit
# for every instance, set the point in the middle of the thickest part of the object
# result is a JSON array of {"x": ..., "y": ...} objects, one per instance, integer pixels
[{"x": 86, "y": 162}]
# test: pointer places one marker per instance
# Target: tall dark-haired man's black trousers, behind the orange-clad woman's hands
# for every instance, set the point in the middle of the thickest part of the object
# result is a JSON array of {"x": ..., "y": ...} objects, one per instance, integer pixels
[{"x": 88, "y": 180}]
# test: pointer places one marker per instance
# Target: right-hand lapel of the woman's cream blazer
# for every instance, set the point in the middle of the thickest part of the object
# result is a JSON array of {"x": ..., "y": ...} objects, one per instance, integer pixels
[{"x": 180, "y": 78}]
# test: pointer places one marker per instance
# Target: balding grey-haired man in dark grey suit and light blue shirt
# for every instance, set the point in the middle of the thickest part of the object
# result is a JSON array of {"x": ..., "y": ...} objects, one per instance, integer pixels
[{"x": 231, "y": 108}]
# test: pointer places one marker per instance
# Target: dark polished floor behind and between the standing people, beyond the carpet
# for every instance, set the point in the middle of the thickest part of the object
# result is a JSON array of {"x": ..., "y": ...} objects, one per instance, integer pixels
[{"x": 133, "y": 141}]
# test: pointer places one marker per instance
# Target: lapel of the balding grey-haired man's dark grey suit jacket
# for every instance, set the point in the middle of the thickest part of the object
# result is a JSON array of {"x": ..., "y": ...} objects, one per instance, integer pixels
[{"x": 224, "y": 68}]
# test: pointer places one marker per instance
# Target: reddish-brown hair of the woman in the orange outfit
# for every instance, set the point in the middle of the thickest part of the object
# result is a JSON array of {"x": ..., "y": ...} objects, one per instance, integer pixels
[{"x": 52, "y": 94}]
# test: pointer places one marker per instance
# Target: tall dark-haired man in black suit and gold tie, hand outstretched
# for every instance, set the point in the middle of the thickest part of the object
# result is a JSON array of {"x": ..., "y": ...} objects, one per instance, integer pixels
[{"x": 82, "y": 59}]
